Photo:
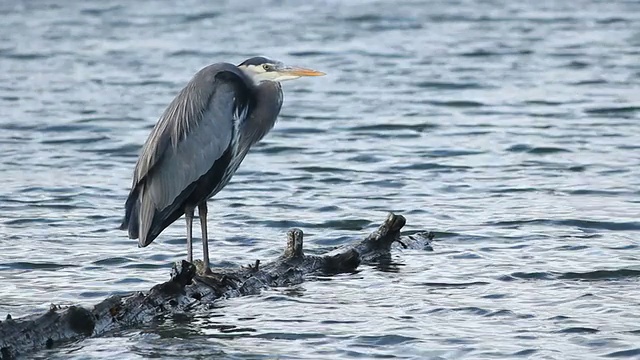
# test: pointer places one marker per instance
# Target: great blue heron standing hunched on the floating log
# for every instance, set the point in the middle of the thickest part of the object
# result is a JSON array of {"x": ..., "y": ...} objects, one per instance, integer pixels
[{"x": 199, "y": 142}]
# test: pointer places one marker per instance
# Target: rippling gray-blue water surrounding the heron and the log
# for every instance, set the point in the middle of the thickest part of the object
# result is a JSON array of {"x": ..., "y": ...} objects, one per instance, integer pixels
[{"x": 510, "y": 129}]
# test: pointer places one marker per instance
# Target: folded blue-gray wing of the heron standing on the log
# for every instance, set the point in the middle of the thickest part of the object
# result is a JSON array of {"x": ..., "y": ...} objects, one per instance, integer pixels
[{"x": 192, "y": 134}]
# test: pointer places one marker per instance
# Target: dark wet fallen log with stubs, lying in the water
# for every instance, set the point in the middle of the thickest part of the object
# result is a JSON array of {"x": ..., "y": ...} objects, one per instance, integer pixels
[{"x": 191, "y": 289}]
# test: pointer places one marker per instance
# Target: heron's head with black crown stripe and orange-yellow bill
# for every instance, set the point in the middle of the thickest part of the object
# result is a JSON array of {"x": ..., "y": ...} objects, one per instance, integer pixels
[{"x": 262, "y": 69}]
